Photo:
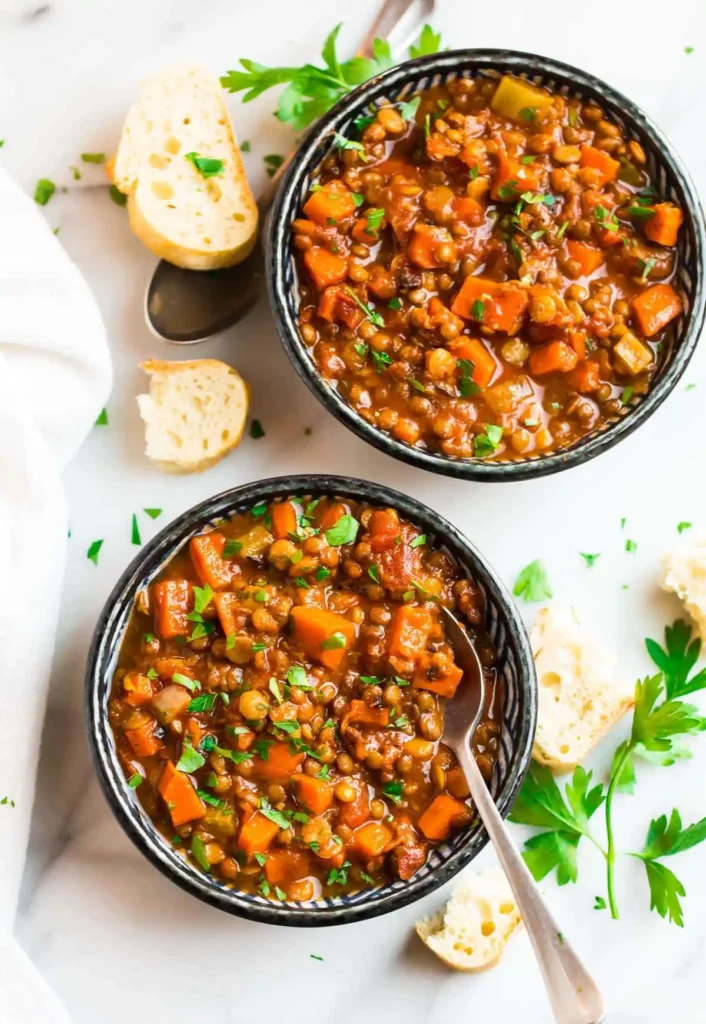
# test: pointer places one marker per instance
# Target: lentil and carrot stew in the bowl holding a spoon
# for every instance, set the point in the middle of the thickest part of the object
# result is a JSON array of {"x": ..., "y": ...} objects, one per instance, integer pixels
[{"x": 278, "y": 705}]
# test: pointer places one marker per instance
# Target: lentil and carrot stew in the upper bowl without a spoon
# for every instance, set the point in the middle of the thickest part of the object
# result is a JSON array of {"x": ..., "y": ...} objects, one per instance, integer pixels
[{"x": 487, "y": 271}]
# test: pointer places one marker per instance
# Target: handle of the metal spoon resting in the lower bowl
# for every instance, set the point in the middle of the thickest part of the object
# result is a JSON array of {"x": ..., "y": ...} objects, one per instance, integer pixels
[{"x": 574, "y": 996}]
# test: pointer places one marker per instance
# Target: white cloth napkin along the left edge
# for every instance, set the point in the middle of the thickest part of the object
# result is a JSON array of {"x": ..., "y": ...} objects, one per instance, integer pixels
[{"x": 55, "y": 377}]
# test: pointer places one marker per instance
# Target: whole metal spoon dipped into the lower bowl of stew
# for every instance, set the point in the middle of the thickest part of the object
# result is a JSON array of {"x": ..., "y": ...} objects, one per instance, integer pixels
[{"x": 574, "y": 996}]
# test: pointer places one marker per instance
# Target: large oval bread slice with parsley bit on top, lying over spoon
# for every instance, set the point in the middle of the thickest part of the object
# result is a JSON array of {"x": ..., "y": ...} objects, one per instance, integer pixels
[{"x": 197, "y": 223}]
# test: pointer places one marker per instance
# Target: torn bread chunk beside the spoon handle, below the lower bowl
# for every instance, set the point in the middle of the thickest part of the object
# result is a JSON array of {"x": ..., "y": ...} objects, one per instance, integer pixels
[{"x": 472, "y": 931}]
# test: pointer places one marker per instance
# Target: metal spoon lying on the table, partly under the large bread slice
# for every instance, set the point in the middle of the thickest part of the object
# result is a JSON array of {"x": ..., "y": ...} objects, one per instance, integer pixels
[{"x": 187, "y": 307}]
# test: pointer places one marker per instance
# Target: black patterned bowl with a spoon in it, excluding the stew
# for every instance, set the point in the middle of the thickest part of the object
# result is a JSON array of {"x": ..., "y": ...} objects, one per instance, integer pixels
[{"x": 515, "y": 663}]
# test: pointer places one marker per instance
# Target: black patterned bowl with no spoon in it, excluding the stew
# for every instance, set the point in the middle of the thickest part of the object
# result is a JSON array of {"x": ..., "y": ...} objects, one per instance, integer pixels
[{"x": 669, "y": 176}]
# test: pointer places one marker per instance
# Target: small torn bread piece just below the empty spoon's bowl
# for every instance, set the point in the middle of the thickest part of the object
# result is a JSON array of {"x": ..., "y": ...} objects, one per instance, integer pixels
[{"x": 195, "y": 413}]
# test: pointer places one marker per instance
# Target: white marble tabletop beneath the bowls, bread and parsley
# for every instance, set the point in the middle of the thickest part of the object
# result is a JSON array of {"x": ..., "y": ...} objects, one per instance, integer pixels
[{"x": 113, "y": 936}]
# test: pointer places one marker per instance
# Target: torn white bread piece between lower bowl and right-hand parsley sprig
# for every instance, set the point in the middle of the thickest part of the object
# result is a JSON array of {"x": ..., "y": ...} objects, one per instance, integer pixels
[{"x": 582, "y": 696}]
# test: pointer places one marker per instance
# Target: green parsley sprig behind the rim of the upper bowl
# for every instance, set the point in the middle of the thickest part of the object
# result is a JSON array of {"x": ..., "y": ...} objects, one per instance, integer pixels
[{"x": 313, "y": 91}]
